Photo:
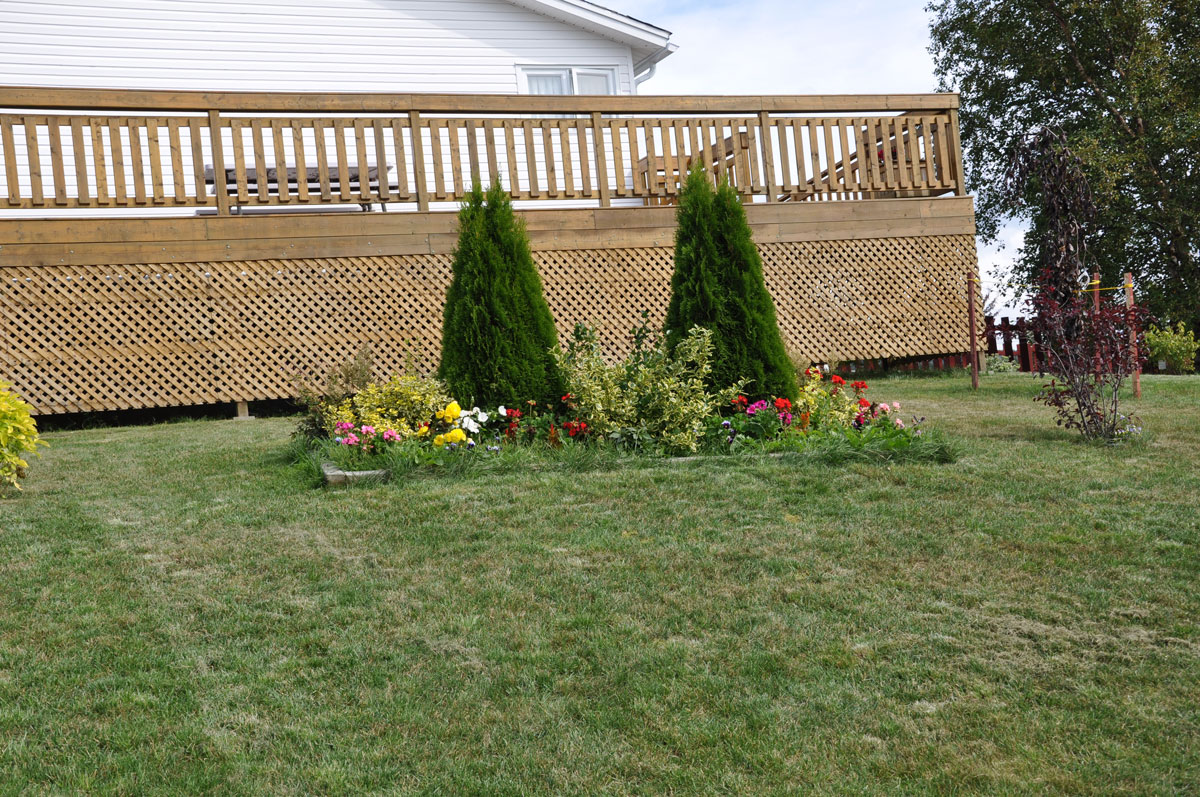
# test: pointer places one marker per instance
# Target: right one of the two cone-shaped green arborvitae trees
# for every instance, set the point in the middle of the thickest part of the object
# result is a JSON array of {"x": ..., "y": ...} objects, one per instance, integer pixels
[{"x": 718, "y": 285}]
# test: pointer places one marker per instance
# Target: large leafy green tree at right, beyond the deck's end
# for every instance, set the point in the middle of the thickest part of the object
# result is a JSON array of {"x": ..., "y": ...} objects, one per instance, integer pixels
[{"x": 1123, "y": 81}]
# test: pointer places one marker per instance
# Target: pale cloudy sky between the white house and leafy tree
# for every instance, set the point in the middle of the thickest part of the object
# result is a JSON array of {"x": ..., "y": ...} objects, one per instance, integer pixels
[{"x": 803, "y": 47}]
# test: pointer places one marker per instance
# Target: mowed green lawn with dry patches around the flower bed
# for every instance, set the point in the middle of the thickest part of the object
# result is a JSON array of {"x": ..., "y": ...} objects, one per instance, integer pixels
[{"x": 182, "y": 613}]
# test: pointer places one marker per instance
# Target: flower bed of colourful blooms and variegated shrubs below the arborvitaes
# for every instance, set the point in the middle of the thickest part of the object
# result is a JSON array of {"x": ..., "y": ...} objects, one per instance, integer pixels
[{"x": 653, "y": 405}]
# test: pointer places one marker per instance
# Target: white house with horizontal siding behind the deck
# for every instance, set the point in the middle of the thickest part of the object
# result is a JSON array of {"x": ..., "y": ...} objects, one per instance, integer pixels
[{"x": 394, "y": 46}]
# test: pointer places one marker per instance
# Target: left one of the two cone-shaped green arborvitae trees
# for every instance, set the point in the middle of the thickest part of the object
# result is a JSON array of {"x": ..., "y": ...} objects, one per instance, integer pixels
[{"x": 497, "y": 332}]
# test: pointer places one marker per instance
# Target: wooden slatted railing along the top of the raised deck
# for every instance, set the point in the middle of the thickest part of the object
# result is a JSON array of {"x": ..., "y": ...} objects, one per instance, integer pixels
[{"x": 75, "y": 148}]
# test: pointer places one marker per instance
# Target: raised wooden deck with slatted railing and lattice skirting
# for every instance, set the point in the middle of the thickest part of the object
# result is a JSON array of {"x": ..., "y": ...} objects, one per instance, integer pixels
[{"x": 133, "y": 274}]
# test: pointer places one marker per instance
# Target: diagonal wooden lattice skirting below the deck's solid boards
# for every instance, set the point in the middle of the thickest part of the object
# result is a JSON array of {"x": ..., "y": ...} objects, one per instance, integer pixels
[{"x": 87, "y": 339}]
